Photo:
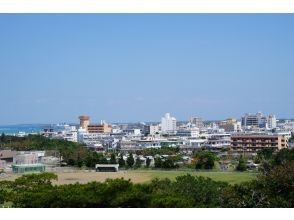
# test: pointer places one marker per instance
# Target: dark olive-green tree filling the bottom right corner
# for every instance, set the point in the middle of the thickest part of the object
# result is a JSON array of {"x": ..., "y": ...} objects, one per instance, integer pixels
[{"x": 273, "y": 189}]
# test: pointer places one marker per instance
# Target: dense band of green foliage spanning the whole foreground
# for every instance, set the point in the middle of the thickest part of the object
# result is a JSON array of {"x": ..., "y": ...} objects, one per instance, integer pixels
[{"x": 274, "y": 188}]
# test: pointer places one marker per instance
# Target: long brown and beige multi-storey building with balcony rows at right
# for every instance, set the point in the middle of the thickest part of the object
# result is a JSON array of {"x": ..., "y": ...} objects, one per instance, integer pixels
[{"x": 253, "y": 143}]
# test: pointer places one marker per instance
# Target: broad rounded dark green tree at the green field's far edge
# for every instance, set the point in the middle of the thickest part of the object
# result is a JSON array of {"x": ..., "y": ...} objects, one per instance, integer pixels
[{"x": 205, "y": 159}]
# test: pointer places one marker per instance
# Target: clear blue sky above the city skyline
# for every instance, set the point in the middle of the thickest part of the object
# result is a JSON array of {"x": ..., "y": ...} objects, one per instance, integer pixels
[{"x": 136, "y": 67}]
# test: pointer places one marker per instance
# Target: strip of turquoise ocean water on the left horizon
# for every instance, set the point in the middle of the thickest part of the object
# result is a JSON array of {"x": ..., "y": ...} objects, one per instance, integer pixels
[{"x": 27, "y": 128}]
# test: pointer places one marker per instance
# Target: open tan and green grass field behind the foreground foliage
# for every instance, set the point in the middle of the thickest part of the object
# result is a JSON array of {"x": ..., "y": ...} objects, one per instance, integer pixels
[{"x": 141, "y": 176}]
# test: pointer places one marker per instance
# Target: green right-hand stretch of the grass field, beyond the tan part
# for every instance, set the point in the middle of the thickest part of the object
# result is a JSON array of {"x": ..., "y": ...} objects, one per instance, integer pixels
[{"x": 230, "y": 177}]
